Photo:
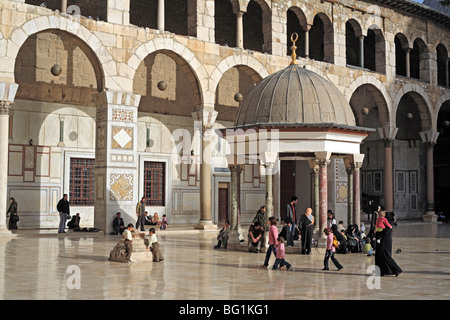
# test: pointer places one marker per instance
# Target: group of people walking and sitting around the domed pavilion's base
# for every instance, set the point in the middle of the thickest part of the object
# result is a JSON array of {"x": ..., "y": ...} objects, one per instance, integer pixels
[{"x": 338, "y": 238}]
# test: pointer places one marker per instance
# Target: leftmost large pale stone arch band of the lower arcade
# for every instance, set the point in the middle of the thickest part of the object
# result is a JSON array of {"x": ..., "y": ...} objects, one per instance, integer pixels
[{"x": 92, "y": 44}]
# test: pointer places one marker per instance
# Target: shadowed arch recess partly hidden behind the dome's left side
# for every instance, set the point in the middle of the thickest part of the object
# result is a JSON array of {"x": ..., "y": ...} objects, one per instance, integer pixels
[{"x": 239, "y": 79}]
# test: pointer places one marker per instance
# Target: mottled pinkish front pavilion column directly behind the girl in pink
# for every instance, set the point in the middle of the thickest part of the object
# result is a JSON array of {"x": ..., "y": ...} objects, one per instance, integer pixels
[{"x": 323, "y": 159}]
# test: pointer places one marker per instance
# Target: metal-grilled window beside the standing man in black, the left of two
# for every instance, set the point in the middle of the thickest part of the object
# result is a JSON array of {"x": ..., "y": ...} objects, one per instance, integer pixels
[{"x": 82, "y": 183}]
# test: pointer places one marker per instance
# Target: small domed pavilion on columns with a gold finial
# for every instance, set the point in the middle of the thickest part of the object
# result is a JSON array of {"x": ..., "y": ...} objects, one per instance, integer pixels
[{"x": 296, "y": 114}]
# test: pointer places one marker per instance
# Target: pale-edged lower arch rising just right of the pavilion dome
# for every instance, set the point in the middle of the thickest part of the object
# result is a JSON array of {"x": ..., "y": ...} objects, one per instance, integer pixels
[{"x": 375, "y": 89}]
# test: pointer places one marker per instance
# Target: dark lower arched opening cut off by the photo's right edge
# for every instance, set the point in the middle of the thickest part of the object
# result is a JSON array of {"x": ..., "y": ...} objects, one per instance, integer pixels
[{"x": 441, "y": 159}]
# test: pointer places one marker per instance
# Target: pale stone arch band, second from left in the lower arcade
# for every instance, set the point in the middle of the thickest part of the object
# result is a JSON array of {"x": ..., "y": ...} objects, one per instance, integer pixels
[{"x": 171, "y": 45}]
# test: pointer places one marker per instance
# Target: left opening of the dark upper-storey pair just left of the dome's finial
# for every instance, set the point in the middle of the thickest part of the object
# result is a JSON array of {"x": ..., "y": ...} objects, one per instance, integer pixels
[{"x": 225, "y": 23}]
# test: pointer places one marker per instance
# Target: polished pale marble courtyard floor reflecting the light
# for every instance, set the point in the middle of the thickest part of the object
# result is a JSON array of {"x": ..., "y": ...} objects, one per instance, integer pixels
[{"x": 41, "y": 265}]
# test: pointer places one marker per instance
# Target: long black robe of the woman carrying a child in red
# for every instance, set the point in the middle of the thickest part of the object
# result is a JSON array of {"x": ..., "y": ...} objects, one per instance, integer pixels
[{"x": 383, "y": 258}]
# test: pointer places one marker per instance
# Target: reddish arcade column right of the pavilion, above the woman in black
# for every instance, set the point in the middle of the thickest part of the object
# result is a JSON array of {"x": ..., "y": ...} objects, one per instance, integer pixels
[{"x": 388, "y": 134}]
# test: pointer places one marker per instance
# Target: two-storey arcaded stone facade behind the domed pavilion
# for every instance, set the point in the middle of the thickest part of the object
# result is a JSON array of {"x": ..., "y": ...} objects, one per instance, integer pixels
[{"x": 107, "y": 55}]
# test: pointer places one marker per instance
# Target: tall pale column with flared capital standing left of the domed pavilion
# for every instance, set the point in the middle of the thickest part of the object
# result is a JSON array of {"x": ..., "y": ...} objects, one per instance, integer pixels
[{"x": 206, "y": 118}]
